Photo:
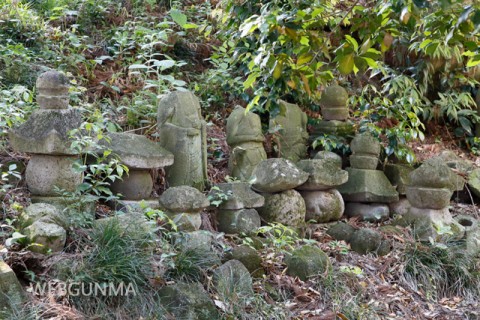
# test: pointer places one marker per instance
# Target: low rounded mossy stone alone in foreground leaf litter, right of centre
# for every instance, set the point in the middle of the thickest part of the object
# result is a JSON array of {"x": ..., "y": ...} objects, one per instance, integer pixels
[{"x": 307, "y": 261}]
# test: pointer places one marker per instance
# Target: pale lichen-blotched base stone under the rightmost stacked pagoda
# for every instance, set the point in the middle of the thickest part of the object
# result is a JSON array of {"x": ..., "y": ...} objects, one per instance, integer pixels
[{"x": 431, "y": 223}]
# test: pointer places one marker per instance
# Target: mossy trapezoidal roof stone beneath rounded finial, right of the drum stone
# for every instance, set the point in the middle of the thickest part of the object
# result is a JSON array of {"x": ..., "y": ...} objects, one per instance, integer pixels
[{"x": 367, "y": 186}]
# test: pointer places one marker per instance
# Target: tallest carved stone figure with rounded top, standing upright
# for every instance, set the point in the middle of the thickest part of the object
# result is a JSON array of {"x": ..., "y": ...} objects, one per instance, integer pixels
[{"x": 183, "y": 132}]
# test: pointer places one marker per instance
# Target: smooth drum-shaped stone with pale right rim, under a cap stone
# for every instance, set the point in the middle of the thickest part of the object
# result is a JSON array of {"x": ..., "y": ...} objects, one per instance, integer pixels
[{"x": 323, "y": 206}]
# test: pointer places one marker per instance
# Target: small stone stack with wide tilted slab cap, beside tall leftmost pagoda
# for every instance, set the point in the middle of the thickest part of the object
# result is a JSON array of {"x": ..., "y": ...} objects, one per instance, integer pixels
[{"x": 140, "y": 155}]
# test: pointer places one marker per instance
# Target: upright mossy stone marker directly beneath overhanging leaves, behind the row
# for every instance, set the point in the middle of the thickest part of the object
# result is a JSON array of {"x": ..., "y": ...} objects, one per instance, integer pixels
[{"x": 291, "y": 128}]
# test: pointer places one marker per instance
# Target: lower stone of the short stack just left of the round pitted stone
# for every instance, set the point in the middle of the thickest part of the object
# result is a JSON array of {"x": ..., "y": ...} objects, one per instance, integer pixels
[{"x": 238, "y": 221}]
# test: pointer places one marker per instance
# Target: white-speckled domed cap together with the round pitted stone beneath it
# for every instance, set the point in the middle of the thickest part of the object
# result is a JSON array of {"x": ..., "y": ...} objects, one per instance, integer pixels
[{"x": 276, "y": 179}]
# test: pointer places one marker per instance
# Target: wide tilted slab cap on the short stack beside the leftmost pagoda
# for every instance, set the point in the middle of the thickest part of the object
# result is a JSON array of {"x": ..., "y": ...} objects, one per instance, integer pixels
[{"x": 137, "y": 151}]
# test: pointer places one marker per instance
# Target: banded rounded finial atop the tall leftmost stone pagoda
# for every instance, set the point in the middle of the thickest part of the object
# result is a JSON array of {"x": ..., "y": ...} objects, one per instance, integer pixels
[{"x": 52, "y": 87}]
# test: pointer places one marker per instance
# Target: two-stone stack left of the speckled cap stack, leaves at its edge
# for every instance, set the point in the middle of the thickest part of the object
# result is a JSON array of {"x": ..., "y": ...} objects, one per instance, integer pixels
[{"x": 237, "y": 214}]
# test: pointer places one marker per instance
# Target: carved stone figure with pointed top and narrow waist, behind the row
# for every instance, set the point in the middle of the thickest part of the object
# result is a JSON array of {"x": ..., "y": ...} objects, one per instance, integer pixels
[{"x": 245, "y": 138}]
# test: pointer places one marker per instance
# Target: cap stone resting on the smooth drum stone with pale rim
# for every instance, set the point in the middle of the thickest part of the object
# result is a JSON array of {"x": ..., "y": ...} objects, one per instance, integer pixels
[{"x": 323, "y": 174}]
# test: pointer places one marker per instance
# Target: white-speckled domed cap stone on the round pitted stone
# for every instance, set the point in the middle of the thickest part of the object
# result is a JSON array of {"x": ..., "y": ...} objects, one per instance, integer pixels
[{"x": 276, "y": 175}]
